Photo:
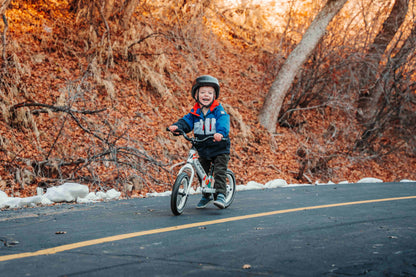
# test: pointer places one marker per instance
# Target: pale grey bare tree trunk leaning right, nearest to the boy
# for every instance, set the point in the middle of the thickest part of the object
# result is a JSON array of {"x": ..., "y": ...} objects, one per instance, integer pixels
[{"x": 277, "y": 93}]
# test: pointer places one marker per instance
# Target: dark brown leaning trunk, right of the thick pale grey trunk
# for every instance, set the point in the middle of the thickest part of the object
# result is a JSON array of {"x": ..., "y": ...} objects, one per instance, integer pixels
[{"x": 368, "y": 98}]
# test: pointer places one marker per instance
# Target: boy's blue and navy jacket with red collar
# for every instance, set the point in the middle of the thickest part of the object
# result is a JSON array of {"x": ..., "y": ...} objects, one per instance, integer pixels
[{"x": 215, "y": 121}]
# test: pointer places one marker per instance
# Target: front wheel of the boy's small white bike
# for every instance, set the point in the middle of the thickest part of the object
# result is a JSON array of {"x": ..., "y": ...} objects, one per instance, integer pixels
[{"x": 179, "y": 197}]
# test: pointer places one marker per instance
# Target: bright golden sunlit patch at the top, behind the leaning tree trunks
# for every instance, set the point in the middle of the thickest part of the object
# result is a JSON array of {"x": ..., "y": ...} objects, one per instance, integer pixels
[{"x": 292, "y": 18}]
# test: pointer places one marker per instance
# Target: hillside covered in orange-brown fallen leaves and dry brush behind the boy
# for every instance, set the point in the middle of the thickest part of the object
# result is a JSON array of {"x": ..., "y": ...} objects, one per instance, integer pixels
[{"x": 126, "y": 73}]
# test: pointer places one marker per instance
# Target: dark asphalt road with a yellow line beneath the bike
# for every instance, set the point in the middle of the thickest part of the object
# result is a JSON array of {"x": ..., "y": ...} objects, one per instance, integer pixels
[{"x": 334, "y": 230}]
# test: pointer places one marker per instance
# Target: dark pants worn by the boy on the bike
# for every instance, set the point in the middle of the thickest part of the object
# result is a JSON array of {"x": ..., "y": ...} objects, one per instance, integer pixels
[{"x": 220, "y": 164}]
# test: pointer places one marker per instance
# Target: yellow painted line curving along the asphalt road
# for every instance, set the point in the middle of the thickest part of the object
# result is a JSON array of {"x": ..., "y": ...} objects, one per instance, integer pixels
[{"x": 71, "y": 246}]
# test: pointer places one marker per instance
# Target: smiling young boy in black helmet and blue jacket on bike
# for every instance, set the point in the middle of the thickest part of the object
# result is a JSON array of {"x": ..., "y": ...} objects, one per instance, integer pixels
[{"x": 208, "y": 118}]
